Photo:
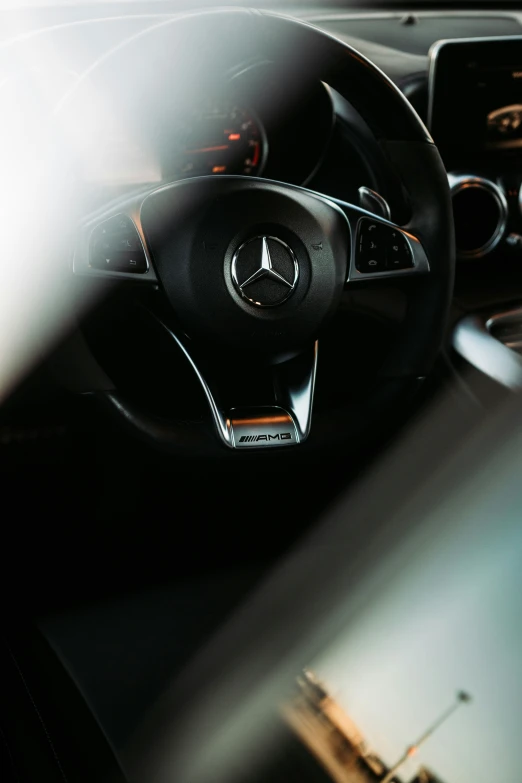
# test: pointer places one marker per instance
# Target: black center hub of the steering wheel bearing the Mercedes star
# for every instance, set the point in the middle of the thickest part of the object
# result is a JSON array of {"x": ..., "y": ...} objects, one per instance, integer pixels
[{"x": 246, "y": 263}]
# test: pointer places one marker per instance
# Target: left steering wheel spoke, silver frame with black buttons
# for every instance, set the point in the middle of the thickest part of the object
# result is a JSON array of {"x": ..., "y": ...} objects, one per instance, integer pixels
[{"x": 112, "y": 245}]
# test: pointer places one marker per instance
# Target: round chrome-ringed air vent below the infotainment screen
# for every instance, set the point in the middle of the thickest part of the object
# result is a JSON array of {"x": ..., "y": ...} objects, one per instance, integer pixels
[{"x": 480, "y": 212}]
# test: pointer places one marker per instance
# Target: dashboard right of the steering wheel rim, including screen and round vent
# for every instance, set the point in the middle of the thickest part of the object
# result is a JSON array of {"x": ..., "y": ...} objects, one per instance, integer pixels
[{"x": 462, "y": 71}]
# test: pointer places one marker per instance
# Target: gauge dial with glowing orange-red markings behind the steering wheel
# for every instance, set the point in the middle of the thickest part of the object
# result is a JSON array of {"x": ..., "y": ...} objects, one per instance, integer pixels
[{"x": 220, "y": 140}]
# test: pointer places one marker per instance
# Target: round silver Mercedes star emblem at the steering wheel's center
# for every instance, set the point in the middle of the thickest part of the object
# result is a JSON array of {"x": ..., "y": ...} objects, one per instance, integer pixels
[{"x": 265, "y": 271}]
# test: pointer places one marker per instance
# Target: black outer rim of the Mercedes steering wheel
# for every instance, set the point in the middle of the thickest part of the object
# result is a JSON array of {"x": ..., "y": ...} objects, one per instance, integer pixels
[{"x": 400, "y": 133}]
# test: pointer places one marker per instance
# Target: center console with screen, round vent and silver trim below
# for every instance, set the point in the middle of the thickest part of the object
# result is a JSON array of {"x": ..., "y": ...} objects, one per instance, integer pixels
[{"x": 475, "y": 118}]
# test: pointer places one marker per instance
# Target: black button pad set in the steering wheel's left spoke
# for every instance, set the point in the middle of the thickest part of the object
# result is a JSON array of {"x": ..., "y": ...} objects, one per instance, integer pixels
[{"x": 116, "y": 247}]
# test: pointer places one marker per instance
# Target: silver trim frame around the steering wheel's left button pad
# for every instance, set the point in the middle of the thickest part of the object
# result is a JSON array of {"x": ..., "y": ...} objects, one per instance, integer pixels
[{"x": 130, "y": 208}]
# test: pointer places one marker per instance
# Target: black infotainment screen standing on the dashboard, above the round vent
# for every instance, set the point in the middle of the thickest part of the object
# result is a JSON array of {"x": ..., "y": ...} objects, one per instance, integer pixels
[{"x": 475, "y": 92}]
